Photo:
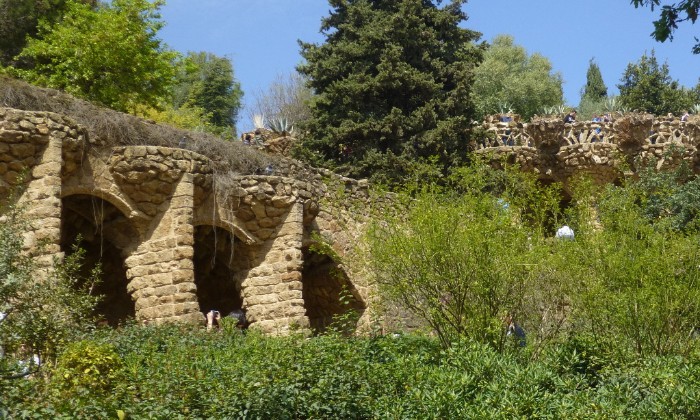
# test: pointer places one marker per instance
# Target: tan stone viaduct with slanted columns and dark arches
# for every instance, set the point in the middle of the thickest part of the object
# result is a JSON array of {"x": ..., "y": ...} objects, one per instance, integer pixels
[{"x": 175, "y": 241}]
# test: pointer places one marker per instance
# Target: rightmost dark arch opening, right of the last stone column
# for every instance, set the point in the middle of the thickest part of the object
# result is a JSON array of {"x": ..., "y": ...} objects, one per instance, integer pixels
[{"x": 327, "y": 291}]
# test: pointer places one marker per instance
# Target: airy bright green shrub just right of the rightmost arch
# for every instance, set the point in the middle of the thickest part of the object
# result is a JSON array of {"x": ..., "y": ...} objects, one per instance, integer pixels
[{"x": 463, "y": 262}]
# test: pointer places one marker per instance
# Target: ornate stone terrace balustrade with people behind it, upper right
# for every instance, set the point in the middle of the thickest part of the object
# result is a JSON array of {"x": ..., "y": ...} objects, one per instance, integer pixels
[{"x": 556, "y": 151}]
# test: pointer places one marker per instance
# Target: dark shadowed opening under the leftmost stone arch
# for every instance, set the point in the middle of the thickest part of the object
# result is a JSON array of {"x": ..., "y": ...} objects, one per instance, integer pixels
[{"x": 107, "y": 236}]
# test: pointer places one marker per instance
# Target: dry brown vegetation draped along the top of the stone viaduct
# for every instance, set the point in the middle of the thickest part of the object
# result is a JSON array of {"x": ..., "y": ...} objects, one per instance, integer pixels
[{"x": 112, "y": 128}]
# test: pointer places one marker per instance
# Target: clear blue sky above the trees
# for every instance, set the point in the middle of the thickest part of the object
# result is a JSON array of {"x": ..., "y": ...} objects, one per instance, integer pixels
[{"x": 260, "y": 36}]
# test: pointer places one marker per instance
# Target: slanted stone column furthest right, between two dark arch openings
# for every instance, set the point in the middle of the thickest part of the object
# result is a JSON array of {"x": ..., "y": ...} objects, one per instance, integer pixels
[{"x": 272, "y": 291}]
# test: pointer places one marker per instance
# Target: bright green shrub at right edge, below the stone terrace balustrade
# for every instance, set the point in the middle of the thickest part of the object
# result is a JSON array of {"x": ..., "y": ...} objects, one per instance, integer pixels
[{"x": 632, "y": 283}]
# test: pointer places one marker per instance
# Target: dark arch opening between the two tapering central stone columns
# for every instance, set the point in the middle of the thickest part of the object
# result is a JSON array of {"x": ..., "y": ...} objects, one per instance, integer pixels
[{"x": 219, "y": 259}]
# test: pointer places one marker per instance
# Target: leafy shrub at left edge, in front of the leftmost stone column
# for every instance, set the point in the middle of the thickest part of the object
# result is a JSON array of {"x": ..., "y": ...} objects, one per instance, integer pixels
[{"x": 43, "y": 310}]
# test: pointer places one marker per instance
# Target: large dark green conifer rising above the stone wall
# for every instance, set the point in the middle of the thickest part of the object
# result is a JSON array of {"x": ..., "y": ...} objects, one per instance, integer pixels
[{"x": 392, "y": 83}]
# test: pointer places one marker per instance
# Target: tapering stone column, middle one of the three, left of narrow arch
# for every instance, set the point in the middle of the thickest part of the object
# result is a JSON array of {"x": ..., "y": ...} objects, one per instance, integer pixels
[{"x": 161, "y": 271}]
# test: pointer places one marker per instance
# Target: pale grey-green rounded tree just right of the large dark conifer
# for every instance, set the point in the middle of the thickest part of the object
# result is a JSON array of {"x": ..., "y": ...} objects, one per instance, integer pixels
[{"x": 509, "y": 77}]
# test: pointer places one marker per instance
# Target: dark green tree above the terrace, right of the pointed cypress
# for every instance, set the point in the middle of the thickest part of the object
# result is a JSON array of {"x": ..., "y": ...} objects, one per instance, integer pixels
[{"x": 647, "y": 86}]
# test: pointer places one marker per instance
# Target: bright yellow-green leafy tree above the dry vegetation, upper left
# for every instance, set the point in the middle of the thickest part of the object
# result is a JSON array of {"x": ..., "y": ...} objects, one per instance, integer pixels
[{"x": 109, "y": 55}]
